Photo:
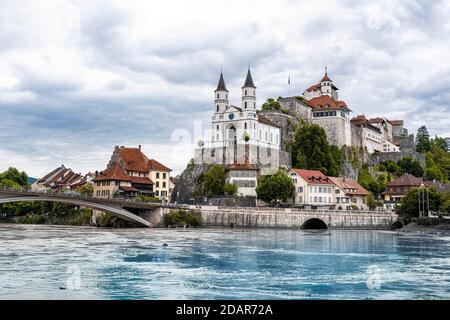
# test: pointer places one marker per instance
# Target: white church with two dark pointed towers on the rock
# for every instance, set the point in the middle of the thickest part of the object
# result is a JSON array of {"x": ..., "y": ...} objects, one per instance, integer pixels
[{"x": 247, "y": 143}]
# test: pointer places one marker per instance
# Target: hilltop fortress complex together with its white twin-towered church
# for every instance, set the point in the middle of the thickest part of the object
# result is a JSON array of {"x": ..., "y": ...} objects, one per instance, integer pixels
[{"x": 251, "y": 142}]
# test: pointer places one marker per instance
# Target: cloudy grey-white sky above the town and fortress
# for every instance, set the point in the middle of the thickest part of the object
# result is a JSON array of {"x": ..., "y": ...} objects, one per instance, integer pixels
[{"x": 80, "y": 77}]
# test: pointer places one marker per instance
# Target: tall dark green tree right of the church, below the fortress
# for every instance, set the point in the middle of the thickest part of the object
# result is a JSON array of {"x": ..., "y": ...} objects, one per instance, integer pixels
[{"x": 311, "y": 151}]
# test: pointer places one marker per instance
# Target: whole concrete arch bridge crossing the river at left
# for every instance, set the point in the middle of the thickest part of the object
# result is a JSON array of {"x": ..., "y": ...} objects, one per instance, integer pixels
[{"x": 140, "y": 213}]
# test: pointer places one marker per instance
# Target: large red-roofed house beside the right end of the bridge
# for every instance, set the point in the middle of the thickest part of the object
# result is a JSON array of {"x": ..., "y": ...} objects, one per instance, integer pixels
[{"x": 130, "y": 173}]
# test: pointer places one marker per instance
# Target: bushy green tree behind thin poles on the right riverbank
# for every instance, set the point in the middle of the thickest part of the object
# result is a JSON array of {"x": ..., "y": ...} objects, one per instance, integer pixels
[{"x": 410, "y": 202}]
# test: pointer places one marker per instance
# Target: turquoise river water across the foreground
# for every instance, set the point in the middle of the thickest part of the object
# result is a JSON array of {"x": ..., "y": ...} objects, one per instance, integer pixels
[{"x": 50, "y": 262}]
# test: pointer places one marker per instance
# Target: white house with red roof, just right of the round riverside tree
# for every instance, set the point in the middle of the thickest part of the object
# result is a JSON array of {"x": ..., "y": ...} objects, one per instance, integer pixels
[{"x": 313, "y": 189}]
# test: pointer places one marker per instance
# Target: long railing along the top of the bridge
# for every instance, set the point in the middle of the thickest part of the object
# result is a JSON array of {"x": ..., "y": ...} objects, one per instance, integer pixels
[{"x": 74, "y": 195}]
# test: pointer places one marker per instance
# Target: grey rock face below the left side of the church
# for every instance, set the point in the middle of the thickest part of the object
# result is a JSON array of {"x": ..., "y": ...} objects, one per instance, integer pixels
[{"x": 184, "y": 189}]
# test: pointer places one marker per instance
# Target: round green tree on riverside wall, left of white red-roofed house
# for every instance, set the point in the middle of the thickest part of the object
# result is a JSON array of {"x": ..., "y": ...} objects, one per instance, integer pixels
[{"x": 275, "y": 188}]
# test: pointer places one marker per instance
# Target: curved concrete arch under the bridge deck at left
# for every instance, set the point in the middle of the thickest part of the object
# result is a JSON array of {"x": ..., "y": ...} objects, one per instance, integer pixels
[{"x": 116, "y": 211}]
